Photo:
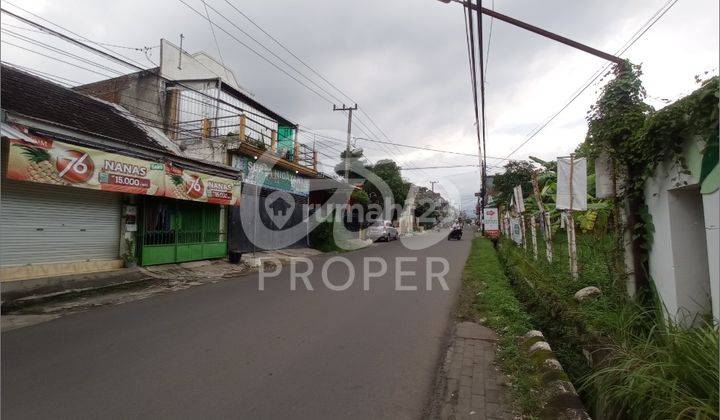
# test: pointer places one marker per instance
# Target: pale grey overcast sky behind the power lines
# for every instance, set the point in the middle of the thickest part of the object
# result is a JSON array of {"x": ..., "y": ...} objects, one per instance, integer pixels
[{"x": 405, "y": 63}]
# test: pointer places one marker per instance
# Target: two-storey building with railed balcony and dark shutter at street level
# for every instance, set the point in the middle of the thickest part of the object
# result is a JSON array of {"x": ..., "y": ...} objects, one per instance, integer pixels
[{"x": 208, "y": 115}]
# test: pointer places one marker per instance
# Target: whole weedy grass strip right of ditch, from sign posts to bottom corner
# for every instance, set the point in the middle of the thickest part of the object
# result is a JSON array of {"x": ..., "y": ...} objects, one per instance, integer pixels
[{"x": 648, "y": 368}]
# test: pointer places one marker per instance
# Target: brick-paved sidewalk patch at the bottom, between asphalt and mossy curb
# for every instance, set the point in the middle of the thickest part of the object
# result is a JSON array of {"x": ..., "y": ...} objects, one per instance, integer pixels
[{"x": 474, "y": 386}]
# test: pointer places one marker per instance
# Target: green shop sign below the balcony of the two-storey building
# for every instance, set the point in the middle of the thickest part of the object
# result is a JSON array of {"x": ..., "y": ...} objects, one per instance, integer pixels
[{"x": 261, "y": 174}]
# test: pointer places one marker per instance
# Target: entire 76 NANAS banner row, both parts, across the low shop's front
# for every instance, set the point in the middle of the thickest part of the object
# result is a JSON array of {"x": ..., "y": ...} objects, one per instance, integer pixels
[{"x": 41, "y": 159}]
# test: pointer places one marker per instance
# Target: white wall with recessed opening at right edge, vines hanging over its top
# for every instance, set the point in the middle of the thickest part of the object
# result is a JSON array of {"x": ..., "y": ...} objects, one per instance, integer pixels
[{"x": 683, "y": 261}]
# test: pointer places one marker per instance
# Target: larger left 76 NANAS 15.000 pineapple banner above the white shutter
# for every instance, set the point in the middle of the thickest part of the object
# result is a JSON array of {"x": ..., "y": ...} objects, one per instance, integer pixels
[{"x": 44, "y": 160}]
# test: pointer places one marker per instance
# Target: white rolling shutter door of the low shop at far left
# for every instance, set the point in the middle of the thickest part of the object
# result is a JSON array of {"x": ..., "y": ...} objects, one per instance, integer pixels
[{"x": 49, "y": 224}]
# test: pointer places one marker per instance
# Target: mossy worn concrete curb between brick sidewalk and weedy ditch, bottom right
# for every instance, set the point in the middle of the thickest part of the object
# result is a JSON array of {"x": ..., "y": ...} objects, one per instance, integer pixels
[{"x": 559, "y": 399}]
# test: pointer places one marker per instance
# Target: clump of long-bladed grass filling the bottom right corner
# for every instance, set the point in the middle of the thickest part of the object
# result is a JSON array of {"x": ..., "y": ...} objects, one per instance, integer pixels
[{"x": 664, "y": 372}]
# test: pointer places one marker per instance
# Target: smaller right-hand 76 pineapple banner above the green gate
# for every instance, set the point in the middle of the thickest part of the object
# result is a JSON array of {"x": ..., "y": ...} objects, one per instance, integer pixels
[{"x": 184, "y": 184}]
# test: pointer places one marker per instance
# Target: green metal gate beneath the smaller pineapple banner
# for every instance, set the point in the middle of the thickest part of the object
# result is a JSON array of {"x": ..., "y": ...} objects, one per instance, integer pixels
[{"x": 175, "y": 231}]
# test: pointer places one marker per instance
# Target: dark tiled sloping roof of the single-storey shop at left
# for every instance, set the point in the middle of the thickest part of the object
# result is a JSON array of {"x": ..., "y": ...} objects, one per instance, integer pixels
[{"x": 35, "y": 97}]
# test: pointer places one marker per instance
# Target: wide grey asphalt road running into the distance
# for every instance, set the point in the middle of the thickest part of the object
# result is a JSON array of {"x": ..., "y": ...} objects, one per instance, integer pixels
[{"x": 228, "y": 350}]
